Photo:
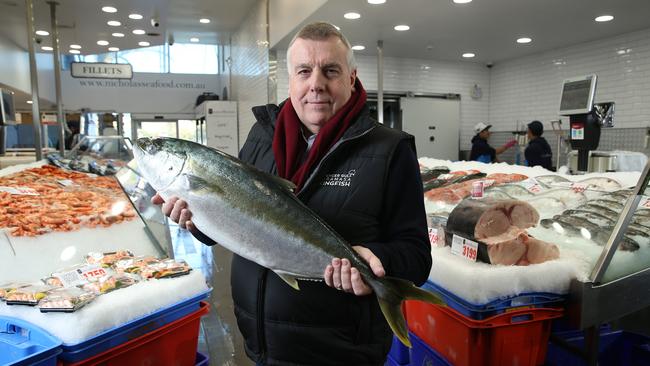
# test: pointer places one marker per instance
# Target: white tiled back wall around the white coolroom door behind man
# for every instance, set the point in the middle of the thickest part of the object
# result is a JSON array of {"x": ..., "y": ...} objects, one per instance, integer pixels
[{"x": 423, "y": 76}]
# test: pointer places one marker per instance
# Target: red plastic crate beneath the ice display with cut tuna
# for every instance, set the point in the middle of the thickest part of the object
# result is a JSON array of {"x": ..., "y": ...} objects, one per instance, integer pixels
[{"x": 519, "y": 337}]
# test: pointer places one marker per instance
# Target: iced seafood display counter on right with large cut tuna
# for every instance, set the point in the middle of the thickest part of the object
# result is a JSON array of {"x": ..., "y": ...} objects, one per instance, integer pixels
[{"x": 586, "y": 237}]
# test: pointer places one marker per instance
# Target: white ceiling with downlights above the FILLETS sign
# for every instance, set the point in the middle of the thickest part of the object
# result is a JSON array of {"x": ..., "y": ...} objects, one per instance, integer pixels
[{"x": 82, "y": 21}]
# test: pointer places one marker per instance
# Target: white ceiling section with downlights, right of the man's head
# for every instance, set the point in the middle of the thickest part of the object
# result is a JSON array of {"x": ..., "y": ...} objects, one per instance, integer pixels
[{"x": 488, "y": 28}]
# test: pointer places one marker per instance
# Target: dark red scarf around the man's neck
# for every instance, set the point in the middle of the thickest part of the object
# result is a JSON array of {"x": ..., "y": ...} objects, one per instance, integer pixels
[{"x": 289, "y": 144}]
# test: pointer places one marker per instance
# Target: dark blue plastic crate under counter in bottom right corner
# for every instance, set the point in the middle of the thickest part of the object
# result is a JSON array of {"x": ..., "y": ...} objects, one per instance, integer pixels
[{"x": 615, "y": 348}]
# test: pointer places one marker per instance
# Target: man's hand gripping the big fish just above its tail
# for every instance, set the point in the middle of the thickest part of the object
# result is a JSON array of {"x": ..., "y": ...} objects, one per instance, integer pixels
[{"x": 342, "y": 276}]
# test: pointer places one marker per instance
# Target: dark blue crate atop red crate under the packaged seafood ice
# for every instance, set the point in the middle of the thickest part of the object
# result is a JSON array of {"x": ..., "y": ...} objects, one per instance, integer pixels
[{"x": 113, "y": 337}]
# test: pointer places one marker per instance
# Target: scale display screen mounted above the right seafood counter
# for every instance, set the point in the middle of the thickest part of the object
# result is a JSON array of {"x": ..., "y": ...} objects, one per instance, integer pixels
[{"x": 578, "y": 95}]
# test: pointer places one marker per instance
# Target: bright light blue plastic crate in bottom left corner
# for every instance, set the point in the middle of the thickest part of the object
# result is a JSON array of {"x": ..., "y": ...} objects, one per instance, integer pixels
[{"x": 22, "y": 343}]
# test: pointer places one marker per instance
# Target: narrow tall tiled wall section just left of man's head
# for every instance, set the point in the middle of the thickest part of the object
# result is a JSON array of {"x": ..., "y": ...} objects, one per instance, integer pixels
[{"x": 250, "y": 66}]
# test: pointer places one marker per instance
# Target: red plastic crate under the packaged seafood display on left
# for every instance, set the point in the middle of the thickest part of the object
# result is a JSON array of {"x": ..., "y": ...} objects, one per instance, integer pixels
[{"x": 173, "y": 344}]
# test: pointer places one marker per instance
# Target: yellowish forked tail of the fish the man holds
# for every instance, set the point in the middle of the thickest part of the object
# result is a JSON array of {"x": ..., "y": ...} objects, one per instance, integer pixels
[{"x": 390, "y": 293}]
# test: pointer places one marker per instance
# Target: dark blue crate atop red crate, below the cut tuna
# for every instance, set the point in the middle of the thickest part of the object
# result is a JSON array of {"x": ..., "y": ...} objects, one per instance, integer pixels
[{"x": 499, "y": 306}]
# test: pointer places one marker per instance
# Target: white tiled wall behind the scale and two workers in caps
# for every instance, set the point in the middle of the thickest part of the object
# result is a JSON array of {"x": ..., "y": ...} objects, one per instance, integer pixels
[{"x": 529, "y": 88}]
